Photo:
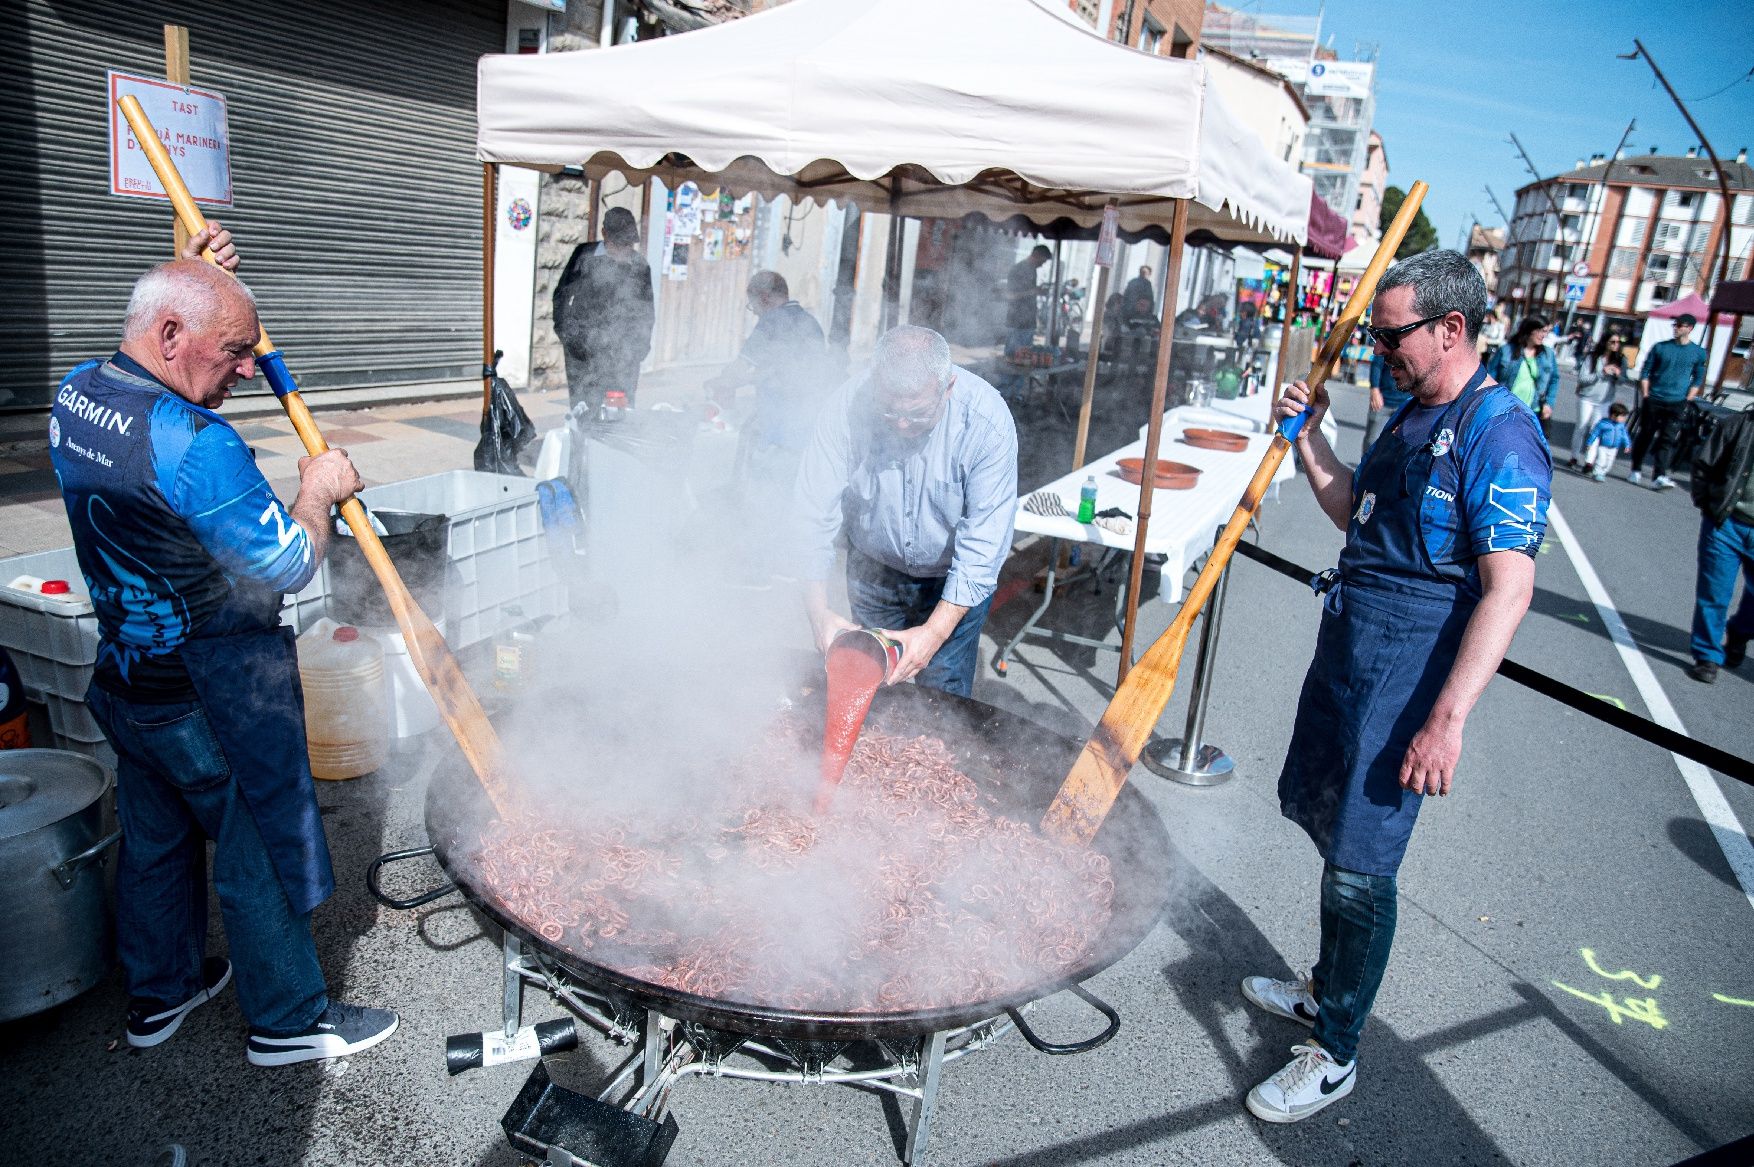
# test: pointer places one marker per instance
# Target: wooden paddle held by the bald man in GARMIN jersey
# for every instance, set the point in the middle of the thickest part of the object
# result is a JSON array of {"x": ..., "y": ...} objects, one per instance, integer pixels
[{"x": 427, "y": 650}]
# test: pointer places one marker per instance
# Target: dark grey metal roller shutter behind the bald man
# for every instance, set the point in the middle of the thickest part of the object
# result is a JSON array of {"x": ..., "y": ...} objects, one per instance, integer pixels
[{"x": 355, "y": 178}]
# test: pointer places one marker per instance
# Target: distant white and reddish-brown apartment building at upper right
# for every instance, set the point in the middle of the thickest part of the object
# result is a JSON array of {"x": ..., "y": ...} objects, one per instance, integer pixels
[{"x": 1637, "y": 233}]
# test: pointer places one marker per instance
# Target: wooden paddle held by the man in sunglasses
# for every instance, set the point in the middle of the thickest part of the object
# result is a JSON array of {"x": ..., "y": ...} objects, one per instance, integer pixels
[{"x": 1102, "y": 768}]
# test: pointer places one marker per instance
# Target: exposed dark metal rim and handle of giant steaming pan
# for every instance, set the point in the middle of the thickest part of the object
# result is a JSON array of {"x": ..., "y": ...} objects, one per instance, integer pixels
[{"x": 1016, "y": 762}]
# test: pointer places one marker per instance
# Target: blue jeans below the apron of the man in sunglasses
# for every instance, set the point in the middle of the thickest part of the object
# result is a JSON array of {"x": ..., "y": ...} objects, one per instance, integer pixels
[{"x": 1357, "y": 933}]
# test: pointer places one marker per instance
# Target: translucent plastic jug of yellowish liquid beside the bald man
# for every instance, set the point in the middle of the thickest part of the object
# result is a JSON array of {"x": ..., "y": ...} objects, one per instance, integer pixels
[{"x": 346, "y": 706}]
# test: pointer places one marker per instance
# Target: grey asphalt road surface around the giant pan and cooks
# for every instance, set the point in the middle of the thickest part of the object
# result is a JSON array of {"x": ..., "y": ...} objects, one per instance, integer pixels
[{"x": 1569, "y": 934}]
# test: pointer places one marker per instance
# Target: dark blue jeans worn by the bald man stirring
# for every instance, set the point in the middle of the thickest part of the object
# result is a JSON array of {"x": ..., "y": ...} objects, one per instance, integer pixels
[{"x": 175, "y": 792}]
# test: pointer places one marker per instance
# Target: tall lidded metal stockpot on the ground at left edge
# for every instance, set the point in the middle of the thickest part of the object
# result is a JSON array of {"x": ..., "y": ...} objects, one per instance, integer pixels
[{"x": 55, "y": 924}]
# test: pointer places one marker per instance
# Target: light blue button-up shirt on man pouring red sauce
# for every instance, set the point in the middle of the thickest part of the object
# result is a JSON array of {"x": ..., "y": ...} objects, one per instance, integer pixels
[{"x": 930, "y": 506}]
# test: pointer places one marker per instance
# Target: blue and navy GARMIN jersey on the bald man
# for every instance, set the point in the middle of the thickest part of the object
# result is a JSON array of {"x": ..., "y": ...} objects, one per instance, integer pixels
[{"x": 176, "y": 529}]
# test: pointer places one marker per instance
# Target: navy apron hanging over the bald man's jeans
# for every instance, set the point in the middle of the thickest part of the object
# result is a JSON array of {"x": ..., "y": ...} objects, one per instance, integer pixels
[{"x": 248, "y": 684}]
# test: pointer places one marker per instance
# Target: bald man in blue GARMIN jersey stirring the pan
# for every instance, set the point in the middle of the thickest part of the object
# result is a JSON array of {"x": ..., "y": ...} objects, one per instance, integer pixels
[{"x": 187, "y": 554}]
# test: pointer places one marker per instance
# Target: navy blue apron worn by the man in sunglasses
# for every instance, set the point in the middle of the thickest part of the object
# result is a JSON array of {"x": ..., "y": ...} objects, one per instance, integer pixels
[{"x": 1390, "y": 634}]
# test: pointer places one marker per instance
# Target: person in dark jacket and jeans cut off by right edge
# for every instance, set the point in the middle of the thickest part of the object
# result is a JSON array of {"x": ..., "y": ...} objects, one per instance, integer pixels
[{"x": 1723, "y": 490}]
